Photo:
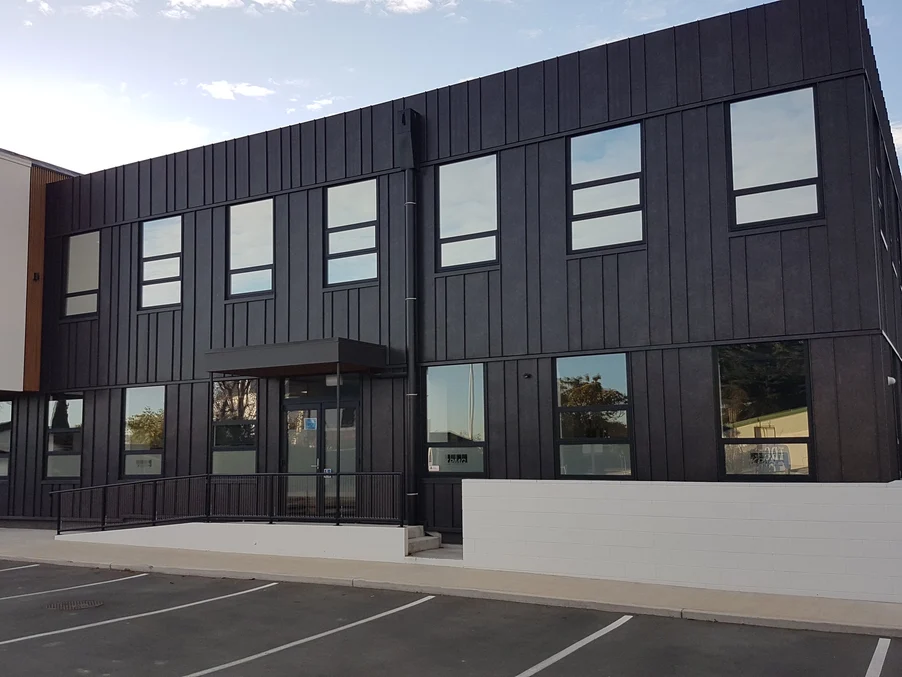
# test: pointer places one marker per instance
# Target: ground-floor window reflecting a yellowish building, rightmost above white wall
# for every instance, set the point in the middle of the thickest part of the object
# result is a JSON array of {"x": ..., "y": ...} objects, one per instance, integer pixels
[{"x": 764, "y": 409}]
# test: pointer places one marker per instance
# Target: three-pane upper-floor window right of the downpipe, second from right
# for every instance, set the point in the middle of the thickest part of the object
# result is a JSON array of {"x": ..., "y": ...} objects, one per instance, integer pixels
[{"x": 606, "y": 188}]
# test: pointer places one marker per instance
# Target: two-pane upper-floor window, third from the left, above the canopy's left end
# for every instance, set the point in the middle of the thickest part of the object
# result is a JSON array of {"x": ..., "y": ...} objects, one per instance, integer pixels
[{"x": 250, "y": 248}]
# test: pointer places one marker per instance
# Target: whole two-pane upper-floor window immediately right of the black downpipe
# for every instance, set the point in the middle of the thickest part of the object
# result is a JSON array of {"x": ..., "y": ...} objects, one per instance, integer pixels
[{"x": 468, "y": 212}]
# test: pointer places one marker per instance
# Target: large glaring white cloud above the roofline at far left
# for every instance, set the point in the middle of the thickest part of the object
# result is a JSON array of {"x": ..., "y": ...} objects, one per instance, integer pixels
[{"x": 101, "y": 129}]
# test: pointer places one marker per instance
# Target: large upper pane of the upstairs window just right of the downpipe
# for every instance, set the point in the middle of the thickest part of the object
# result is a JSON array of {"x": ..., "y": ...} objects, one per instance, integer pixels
[{"x": 468, "y": 197}]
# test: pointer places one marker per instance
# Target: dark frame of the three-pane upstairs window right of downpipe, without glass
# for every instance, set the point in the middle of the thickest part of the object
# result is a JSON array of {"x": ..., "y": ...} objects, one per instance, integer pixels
[{"x": 621, "y": 178}]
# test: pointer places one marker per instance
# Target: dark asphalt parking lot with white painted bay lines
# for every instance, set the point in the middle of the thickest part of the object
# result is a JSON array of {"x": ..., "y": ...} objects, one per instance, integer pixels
[{"x": 73, "y": 621}]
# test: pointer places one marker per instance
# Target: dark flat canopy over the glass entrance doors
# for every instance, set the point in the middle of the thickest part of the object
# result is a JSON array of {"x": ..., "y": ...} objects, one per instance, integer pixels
[{"x": 301, "y": 358}]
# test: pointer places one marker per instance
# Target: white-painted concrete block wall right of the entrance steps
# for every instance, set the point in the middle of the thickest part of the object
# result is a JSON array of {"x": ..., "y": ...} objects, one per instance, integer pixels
[{"x": 832, "y": 540}]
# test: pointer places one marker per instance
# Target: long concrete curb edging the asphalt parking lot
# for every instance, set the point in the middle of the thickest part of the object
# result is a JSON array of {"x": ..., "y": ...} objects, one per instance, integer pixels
[{"x": 497, "y": 595}]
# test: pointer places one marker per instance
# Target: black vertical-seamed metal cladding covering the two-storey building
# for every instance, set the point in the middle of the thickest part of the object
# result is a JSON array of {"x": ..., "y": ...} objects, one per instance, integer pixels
[{"x": 693, "y": 283}]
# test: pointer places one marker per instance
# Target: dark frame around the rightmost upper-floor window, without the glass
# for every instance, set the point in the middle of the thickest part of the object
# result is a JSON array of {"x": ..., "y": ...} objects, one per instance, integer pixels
[{"x": 817, "y": 181}]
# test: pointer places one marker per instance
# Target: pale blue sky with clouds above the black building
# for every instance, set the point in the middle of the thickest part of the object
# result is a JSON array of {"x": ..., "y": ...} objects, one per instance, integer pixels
[{"x": 90, "y": 84}]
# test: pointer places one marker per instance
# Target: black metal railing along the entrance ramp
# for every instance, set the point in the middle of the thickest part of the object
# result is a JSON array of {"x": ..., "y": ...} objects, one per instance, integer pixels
[{"x": 340, "y": 498}]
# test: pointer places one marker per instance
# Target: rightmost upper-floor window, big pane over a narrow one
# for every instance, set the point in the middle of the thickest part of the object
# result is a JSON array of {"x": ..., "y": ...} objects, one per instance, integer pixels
[{"x": 774, "y": 148}]
